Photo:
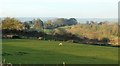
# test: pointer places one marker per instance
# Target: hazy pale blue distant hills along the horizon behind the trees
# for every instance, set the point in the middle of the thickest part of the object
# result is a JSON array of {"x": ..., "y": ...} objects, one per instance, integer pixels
[{"x": 80, "y": 20}]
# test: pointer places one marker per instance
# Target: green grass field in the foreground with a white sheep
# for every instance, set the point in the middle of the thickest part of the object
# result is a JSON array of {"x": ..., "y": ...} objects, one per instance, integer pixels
[{"x": 24, "y": 51}]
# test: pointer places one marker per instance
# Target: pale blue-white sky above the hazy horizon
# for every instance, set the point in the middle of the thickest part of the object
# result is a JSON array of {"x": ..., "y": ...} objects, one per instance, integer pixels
[{"x": 59, "y": 8}]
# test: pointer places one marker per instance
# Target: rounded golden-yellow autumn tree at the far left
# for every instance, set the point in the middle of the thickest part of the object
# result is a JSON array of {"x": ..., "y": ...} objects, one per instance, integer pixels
[{"x": 11, "y": 23}]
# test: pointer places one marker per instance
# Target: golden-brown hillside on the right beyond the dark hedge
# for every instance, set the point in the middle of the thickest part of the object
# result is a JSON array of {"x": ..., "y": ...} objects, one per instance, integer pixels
[{"x": 94, "y": 31}]
